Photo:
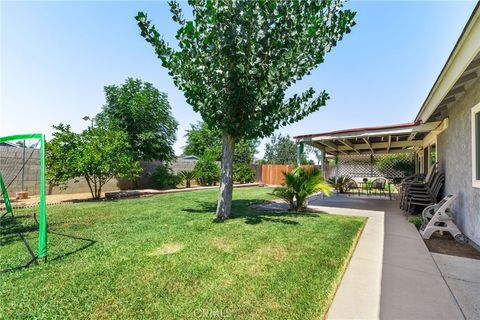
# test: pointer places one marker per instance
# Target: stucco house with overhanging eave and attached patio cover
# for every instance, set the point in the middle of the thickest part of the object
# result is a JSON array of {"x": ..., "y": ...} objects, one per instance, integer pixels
[{"x": 446, "y": 129}]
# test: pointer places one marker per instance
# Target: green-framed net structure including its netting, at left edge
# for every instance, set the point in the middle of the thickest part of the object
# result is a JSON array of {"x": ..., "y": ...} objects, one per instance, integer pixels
[{"x": 22, "y": 185}]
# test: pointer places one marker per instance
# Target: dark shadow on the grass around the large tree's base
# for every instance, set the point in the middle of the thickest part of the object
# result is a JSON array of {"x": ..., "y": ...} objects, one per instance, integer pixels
[{"x": 241, "y": 209}]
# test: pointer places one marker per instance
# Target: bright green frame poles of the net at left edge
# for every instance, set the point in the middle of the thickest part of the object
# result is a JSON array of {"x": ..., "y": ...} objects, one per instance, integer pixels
[{"x": 42, "y": 220}]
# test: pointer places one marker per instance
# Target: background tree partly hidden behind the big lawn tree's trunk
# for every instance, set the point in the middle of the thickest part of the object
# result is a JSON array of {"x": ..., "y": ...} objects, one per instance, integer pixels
[{"x": 203, "y": 141}]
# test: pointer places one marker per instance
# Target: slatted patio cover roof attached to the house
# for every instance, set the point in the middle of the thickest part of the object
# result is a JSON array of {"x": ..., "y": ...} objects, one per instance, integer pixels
[{"x": 398, "y": 138}]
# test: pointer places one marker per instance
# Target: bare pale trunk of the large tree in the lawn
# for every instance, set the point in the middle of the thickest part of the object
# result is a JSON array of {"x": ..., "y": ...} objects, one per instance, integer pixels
[{"x": 224, "y": 204}]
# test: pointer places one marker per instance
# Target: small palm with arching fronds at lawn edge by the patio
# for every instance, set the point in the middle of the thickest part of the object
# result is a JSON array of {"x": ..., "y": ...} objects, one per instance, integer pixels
[{"x": 299, "y": 185}]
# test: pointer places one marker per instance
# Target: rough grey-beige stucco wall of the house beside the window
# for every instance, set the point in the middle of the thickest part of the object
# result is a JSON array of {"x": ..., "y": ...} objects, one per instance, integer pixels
[{"x": 455, "y": 158}]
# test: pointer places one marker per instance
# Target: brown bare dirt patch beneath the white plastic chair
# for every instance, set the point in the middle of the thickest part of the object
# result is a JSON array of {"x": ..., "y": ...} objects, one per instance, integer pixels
[{"x": 445, "y": 244}]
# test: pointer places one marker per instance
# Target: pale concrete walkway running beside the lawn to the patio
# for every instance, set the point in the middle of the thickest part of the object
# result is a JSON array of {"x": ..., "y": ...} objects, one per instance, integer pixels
[{"x": 391, "y": 275}]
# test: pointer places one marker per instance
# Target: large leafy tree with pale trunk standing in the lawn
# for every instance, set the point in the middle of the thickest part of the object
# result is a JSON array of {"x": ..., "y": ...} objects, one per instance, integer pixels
[{"x": 236, "y": 59}]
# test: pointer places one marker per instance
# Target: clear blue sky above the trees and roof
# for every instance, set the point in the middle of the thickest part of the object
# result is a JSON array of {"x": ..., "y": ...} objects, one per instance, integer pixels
[{"x": 56, "y": 57}]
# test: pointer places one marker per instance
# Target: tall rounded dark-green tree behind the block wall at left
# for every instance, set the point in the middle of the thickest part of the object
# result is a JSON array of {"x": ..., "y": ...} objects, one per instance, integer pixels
[{"x": 143, "y": 112}]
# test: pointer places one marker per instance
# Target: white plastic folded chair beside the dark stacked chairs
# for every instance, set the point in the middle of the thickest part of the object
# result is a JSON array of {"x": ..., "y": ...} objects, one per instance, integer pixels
[{"x": 439, "y": 217}]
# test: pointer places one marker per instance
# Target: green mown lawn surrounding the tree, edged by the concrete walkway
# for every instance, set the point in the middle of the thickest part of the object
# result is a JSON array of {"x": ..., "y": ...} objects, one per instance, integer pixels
[{"x": 163, "y": 257}]
